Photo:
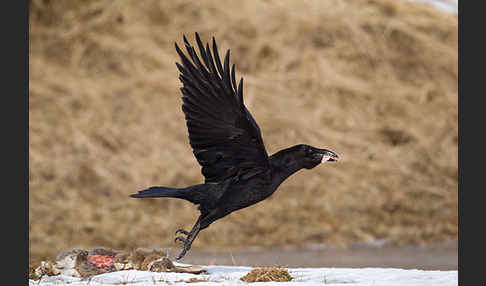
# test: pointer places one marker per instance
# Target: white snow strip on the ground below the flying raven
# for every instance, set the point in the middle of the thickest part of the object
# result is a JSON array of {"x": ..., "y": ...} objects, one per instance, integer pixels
[{"x": 230, "y": 275}]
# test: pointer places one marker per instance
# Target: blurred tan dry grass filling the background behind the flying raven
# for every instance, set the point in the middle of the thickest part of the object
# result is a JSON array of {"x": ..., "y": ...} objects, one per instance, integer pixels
[{"x": 375, "y": 81}]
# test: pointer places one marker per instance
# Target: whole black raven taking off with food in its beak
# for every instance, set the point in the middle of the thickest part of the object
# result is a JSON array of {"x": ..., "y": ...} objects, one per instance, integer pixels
[{"x": 227, "y": 143}]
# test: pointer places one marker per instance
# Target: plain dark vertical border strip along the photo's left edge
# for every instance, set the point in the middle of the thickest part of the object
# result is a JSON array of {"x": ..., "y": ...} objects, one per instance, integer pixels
[{"x": 15, "y": 138}]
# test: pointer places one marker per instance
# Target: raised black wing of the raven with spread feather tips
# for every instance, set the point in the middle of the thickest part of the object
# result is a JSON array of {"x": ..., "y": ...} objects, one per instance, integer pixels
[{"x": 224, "y": 137}]
